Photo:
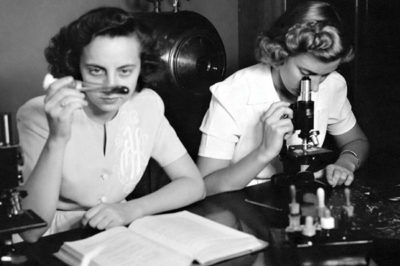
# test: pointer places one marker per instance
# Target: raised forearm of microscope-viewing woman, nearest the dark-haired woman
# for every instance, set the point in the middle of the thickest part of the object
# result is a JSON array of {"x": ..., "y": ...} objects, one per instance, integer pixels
[{"x": 236, "y": 176}]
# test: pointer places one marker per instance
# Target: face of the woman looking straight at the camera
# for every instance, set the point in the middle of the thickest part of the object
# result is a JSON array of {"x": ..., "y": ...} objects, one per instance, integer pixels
[{"x": 110, "y": 61}]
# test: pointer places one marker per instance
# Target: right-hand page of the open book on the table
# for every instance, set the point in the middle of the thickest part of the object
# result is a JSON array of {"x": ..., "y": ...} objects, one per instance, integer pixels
[{"x": 196, "y": 236}]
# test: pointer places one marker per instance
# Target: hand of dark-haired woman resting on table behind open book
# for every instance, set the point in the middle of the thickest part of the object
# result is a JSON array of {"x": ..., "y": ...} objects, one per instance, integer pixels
[{"x": 108, "y": 215}]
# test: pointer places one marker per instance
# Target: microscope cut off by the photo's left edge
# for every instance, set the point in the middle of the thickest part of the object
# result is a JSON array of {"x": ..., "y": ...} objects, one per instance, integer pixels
[{"x": 13, "y": 218}]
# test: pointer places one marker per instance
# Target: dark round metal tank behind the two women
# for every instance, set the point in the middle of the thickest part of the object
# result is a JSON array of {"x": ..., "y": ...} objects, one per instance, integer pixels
[{"x": 190, "y": 48}]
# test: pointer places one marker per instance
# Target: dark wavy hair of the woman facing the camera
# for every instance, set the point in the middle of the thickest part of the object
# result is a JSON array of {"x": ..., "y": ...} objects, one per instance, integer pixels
[{"x": 65, "y": 48}]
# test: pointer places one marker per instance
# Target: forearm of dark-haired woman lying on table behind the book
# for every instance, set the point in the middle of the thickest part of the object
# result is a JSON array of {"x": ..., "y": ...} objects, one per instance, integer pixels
[{"x": 178, "y": 193}]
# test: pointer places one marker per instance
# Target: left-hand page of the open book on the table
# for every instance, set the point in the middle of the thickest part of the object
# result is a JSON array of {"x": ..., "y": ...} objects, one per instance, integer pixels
[{"x": 119, "y": 246}]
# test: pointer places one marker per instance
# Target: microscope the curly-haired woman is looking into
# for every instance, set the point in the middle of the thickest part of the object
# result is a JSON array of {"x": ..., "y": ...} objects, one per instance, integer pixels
[{"x": 301, "y": 161}]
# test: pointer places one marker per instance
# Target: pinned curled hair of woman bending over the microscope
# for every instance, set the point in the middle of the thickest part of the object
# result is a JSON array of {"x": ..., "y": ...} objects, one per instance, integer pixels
[{"x": 311, "y": 27}]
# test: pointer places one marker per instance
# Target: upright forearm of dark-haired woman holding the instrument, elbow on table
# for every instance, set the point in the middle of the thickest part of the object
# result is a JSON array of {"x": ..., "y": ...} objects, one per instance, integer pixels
[{"x": 43, "y": 186}]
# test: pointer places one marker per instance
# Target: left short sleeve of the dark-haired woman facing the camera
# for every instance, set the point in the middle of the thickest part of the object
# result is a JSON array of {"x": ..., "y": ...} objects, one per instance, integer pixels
[{"x": 33, "y": 132}]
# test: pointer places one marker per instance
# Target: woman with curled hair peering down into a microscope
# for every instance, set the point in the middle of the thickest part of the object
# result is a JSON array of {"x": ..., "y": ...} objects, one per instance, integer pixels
[{"x": 249, "y": 116}]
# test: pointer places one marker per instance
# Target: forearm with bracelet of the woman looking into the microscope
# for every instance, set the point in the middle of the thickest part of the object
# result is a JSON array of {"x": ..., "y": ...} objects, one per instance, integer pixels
[{"x": 353, "y": 154}]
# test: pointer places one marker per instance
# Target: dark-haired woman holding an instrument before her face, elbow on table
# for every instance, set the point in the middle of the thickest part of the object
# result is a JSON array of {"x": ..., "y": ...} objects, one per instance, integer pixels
[{"x": 86, "y": 148}]
